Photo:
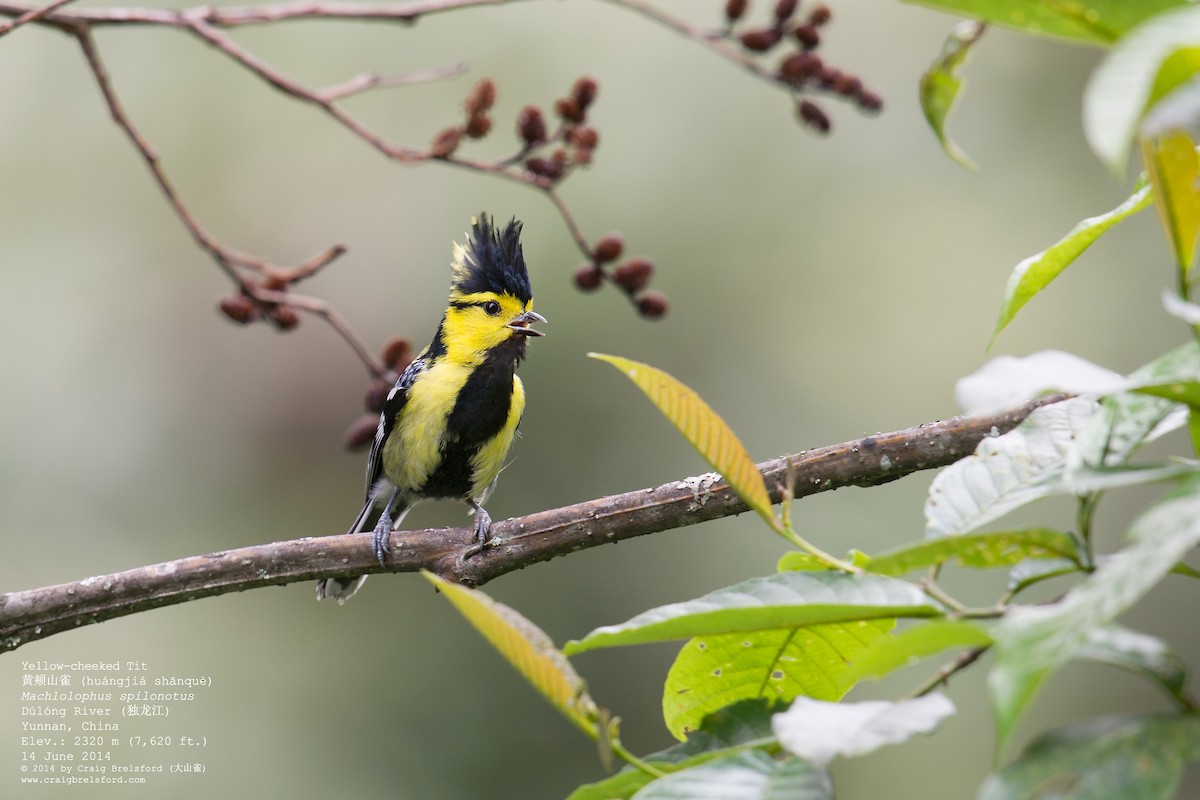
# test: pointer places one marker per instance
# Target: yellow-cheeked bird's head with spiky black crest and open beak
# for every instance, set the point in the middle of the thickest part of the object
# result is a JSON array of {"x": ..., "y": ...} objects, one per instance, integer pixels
[{"x": 491, "y": 302}]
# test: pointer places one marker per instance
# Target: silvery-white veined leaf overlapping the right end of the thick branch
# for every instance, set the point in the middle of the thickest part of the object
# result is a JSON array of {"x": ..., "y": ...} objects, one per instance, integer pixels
[{"x": 1007, "y": 472}]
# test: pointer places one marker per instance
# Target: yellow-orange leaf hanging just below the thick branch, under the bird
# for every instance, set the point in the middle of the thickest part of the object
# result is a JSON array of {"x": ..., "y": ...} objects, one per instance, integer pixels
[{"x": 529, "y": 649}]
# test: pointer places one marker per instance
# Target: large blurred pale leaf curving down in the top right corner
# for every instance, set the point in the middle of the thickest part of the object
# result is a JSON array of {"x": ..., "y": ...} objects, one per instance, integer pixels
[{"x": 1132, "y": 77}]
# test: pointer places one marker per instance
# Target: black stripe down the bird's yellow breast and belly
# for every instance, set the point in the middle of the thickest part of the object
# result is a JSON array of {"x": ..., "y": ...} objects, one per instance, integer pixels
[{"x": 479, "y": 414}]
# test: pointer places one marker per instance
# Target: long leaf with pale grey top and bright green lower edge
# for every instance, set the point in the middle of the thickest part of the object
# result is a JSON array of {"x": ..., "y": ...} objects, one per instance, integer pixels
[{"x": 787, "y": 600}]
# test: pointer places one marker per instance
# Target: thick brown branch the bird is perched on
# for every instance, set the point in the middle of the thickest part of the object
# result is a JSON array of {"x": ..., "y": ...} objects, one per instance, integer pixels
[{"x": 38, "y": 613}]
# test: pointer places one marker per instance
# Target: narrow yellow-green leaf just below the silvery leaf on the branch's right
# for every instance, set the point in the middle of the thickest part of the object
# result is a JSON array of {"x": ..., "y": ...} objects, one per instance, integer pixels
[{"x": 988, "y": 551}]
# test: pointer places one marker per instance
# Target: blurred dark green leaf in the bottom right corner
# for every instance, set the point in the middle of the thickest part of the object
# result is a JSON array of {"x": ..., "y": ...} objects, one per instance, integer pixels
[{"x": 1113, "y": 759}]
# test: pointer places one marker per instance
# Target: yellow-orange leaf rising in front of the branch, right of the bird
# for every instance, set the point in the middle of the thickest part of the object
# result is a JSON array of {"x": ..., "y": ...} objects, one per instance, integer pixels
[{"x": 704, "y": 429}]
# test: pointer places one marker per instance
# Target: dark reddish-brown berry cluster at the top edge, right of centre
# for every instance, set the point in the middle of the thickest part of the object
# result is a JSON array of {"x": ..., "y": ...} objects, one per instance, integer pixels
[{"x": 802, "y": 71}]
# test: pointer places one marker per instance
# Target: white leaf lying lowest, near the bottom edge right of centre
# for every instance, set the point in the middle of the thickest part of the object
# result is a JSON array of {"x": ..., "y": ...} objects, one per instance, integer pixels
[{"x": 819, "y": 732}]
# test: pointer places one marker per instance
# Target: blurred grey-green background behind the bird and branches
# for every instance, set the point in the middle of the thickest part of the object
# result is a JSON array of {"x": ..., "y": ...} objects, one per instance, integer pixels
[{"x": 823, "y": 290}]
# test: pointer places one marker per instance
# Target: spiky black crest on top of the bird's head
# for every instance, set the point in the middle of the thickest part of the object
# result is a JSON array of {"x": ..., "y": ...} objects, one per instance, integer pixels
[{"x": 491, "y": 261}]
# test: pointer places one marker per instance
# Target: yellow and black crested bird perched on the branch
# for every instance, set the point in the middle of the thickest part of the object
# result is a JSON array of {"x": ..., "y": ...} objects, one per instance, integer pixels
[{"x": 448, "y": 423}]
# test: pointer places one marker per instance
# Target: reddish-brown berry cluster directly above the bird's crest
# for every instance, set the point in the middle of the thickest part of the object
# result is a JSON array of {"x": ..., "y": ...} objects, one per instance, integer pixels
[{"x": 548, "y": 157}]
